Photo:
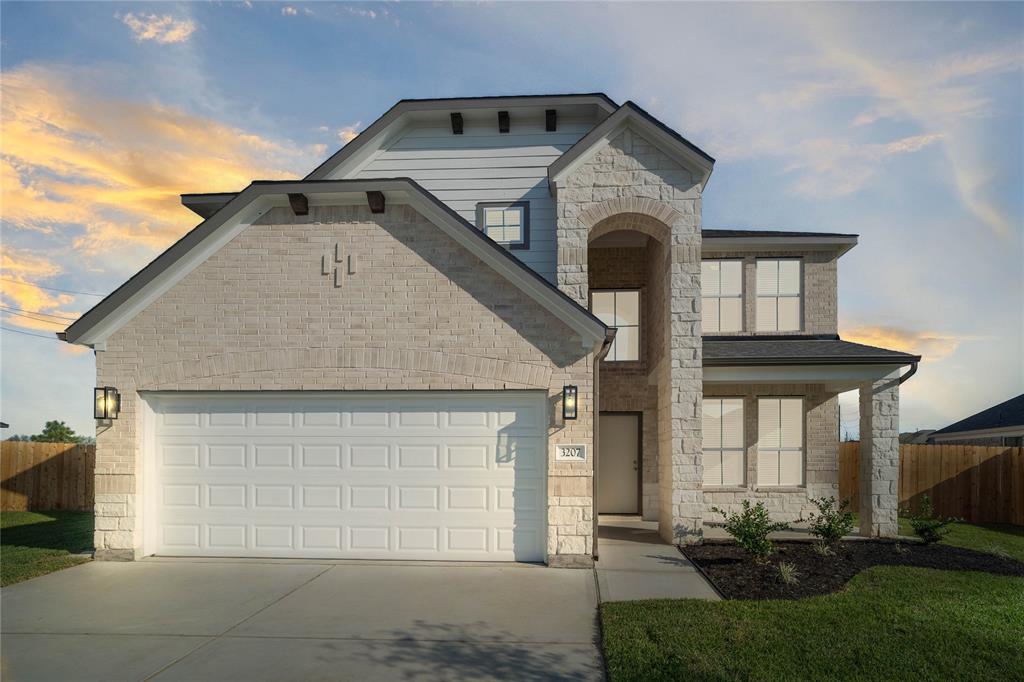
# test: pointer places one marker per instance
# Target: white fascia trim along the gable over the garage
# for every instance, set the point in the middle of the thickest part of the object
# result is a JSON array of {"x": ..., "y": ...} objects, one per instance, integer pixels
[{"x": 592, "y": 333}]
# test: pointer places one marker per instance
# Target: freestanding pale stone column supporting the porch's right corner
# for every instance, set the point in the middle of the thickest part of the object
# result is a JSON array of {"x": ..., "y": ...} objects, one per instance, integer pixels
[{"x": 880, "y": 457}]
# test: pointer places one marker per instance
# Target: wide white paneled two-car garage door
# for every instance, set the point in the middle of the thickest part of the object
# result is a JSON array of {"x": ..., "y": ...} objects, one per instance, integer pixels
[{"x": 405, "y": 476}]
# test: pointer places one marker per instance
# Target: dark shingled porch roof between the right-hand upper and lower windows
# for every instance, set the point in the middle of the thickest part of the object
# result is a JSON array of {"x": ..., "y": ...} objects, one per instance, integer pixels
[{"x": 733, "y": 352}]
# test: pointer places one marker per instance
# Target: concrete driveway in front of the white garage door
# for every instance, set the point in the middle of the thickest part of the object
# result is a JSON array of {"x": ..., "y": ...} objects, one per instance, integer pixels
[{"x": 191, "y": 620}]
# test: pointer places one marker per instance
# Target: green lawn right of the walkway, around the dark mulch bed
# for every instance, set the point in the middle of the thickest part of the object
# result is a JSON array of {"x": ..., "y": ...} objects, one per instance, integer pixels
[{"x": 890, "y": 623}]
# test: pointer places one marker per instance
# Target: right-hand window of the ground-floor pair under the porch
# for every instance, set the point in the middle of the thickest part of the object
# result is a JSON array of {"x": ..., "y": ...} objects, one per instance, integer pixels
[{"x": 781, "y": 442}]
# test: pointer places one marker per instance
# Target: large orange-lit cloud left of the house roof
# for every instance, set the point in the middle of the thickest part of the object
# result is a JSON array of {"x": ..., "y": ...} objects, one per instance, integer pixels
[{"x": 105, "y": 174}]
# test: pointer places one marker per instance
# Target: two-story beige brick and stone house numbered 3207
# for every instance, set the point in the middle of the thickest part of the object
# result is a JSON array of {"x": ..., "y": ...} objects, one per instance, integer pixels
[{"x": 480, "y": 325}]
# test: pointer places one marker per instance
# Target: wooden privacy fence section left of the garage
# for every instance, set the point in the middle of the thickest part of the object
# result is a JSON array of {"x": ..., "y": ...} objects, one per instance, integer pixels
[{"x": 47, "y": 476}]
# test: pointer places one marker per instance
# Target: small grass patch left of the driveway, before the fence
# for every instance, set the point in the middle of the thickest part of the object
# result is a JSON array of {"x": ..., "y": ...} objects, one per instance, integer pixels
[{"x": 38, "y": 543}]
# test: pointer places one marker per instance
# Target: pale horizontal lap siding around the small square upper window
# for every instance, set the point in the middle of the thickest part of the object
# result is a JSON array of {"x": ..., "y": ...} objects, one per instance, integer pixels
[{"x": 483, "y": 165}]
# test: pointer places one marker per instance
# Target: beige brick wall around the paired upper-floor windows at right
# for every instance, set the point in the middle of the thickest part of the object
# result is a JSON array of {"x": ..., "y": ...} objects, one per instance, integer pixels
[{"x": 821, "y": 315}]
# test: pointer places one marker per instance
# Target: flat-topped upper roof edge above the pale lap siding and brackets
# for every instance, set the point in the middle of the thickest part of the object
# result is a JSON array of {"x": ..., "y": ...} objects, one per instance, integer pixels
[{"x": 372, "y": 137}]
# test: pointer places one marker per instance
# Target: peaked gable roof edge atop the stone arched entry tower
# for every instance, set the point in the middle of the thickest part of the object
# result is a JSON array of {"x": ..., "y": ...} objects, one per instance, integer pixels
[{"x": 670, "y": 142}]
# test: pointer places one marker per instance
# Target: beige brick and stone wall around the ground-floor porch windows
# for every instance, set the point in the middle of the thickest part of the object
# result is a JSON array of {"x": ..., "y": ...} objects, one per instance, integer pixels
[{"x": 822, "y": 453}]
